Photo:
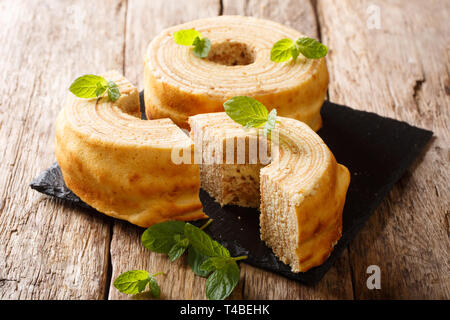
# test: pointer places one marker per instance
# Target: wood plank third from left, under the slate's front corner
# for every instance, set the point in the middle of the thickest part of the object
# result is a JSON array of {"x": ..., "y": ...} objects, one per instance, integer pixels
[{"x": 298, "y": 14}]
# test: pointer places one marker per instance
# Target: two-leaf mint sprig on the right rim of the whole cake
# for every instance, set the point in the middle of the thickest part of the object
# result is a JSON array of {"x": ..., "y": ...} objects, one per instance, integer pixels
[{"x": 285, "y": 49}]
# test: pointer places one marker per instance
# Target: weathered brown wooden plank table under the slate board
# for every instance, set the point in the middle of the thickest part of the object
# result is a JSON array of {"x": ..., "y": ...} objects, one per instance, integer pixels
[{"x": 389, "y": 57}]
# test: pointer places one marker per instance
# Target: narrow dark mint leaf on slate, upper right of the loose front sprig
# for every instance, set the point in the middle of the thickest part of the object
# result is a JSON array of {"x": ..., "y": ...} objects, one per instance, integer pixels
[{"x": 203, "y": 242}]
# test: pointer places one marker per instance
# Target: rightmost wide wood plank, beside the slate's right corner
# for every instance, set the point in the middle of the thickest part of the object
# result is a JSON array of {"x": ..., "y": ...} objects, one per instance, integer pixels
[{"x": 400, "y": 70}]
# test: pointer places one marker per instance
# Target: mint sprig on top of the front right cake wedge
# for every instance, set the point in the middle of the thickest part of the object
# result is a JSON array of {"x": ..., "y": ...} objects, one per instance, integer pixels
[{"x": 250, "y": 113}]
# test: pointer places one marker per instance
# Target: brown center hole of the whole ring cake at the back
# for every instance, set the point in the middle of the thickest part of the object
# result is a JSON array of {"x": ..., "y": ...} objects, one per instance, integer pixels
[{"x": 231, "y": 53}]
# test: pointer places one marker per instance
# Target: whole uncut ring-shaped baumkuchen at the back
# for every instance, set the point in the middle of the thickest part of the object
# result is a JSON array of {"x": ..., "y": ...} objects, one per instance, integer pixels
[{"x": 178, "y": 84}]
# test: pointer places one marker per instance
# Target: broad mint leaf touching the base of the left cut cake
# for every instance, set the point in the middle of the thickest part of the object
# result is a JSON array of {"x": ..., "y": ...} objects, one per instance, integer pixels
[{"x": 160, "y": 237}]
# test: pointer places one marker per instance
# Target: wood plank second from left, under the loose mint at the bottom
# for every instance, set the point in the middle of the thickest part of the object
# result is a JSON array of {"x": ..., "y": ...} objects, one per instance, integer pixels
[{"x": 145, "y": 19}]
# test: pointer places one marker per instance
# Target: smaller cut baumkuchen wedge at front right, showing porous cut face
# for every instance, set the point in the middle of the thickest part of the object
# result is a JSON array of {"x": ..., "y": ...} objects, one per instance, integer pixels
[{"x": 302, "y": 191}]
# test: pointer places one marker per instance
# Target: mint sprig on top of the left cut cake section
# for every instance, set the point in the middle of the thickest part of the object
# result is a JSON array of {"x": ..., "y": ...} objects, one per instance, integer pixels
[{"x": 92, "y": 86}]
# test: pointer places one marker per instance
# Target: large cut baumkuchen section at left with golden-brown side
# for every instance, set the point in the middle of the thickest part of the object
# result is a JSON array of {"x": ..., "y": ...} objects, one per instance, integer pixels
[{"x": 121, "y": 165}]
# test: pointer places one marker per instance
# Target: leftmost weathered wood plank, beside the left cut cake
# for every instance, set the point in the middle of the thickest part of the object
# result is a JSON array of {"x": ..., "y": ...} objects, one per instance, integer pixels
[{"x": 48, "y": 250}]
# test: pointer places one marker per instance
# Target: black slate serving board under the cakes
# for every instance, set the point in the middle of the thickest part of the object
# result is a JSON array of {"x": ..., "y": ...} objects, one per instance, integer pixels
[{"x": 376, "y": 150}]
